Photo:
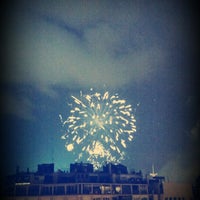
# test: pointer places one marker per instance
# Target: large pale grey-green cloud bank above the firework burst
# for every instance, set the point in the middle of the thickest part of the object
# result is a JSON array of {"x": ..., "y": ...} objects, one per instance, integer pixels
[{"x": 84, "y": 45}]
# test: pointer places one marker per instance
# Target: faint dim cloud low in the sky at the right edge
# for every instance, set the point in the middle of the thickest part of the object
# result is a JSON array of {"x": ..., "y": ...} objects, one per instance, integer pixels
[{"x": 184, "y": 166}]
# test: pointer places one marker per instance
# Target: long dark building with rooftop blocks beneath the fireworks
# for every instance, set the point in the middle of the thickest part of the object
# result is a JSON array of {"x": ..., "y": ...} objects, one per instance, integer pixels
[{"x": 113, "y": 182}]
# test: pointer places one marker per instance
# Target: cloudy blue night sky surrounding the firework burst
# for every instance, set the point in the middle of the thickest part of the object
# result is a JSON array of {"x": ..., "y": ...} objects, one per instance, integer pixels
[{"x": 146, "y": 51}]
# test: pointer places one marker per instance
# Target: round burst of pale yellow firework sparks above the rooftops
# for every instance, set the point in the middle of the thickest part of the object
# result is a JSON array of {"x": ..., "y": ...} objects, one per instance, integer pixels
[{"x": 99, "y": 127}]
